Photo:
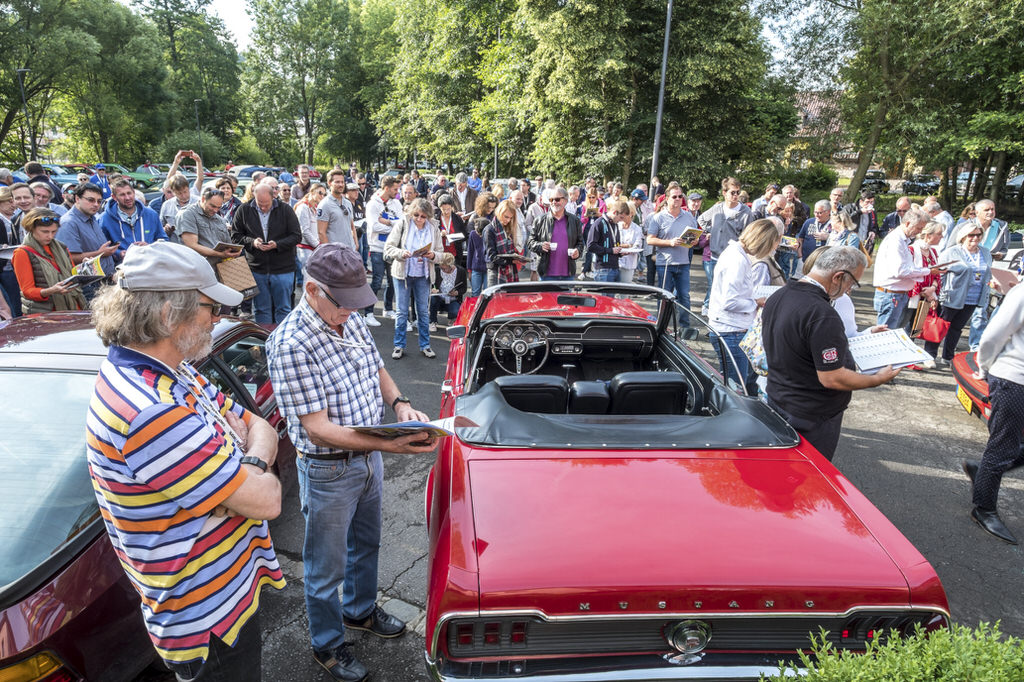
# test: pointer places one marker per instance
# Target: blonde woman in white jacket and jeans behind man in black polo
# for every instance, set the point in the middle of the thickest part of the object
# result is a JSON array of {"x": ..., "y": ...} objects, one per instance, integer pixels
[{"x": 734, "y": 308}]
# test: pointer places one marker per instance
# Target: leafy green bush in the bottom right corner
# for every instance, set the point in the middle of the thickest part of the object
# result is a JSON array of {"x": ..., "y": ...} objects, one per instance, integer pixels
[{"x": 958, "y": 655}]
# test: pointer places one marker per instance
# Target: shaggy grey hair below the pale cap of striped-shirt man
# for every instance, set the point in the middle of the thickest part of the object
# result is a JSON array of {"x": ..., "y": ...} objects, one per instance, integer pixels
[{"x": 124, "y": 318}]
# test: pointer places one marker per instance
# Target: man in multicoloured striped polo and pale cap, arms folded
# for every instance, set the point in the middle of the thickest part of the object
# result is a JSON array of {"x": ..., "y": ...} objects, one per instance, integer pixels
[{"x": 180, "y": 470}]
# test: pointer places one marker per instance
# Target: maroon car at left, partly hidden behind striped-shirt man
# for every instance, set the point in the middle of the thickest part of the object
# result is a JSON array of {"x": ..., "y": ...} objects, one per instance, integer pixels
[{"x": 68, "y": 612}]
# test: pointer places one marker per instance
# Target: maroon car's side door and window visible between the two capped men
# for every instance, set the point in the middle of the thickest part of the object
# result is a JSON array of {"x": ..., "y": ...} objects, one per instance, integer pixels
[{"x": 238, "y": 367}]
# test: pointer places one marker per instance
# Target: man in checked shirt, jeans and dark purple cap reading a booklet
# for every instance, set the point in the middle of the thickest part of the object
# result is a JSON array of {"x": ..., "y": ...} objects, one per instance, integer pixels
[{"x": 328, "y": 375}]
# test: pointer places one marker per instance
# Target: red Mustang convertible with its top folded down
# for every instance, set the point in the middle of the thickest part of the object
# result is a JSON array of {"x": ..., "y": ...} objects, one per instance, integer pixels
[{"x": 620, "y": 513}]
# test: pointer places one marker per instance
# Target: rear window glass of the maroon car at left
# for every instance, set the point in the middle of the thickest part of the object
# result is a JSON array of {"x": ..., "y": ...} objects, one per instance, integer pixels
[{"x": 47, "y": 496}]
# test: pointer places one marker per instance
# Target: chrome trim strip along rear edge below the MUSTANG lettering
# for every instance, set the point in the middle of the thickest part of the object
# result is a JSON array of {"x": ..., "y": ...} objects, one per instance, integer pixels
[{"x": 433, "y": 651}]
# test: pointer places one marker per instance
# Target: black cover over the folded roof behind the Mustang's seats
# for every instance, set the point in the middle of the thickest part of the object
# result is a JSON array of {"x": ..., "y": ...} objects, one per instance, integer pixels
[{"x": 739, "y": 423}]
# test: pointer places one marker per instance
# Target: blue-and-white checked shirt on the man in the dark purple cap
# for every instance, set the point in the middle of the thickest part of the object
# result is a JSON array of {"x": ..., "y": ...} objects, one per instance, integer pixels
[{"x": 313, "y": 368}]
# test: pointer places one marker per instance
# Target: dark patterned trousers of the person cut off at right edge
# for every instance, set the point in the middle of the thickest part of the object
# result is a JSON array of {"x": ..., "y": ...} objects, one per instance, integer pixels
[{"x": 1003, "y": 453}]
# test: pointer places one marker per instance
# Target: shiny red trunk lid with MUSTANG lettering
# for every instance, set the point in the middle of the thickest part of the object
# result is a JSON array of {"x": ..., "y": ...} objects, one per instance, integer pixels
[{"x": 622, "y": 536}]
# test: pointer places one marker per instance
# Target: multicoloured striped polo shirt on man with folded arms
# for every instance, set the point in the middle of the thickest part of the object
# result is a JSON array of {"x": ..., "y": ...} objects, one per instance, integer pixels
[{"x": 161, "y": 461}]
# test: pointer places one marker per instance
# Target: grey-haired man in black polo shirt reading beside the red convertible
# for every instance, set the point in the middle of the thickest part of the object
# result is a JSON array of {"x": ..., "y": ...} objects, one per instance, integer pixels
[{"x": 812, "y": 373}]
